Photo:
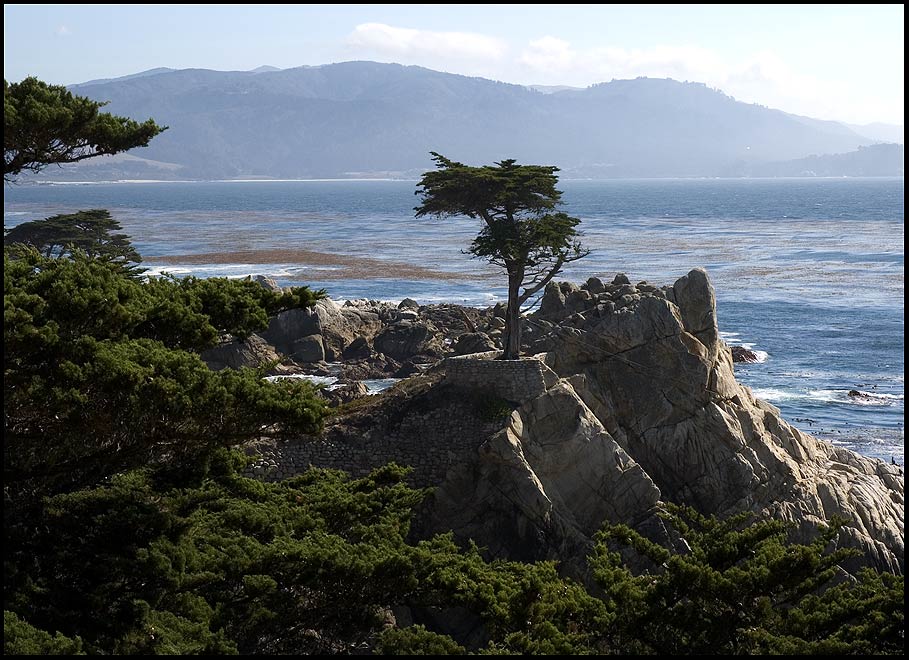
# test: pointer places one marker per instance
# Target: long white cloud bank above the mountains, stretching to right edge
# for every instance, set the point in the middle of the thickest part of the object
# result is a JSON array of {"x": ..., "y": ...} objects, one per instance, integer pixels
[{"x": 756, "y": 77}]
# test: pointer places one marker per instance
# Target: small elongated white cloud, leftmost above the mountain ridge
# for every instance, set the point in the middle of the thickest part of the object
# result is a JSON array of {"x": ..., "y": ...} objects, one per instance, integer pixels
[{"x": 408, "y": 44}]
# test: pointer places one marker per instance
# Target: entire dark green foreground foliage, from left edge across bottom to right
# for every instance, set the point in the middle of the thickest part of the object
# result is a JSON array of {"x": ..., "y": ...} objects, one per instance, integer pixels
[{"x": 129, "y": 530}]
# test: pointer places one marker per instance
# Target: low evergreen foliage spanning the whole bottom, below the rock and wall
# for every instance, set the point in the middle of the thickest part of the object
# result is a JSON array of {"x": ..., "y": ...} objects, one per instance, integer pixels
[{"x": 197, "y": 559}]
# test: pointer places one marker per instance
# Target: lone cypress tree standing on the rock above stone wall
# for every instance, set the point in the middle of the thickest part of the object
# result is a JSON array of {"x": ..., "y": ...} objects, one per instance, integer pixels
[{"x": 522, "y": 231}]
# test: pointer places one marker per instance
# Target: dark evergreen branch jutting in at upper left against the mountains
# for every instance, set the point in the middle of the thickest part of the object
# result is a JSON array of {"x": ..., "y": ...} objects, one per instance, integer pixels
[{"x": 46, "y": 125}]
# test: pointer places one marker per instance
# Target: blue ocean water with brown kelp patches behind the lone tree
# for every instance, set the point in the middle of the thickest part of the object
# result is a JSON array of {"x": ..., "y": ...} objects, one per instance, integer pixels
[{"x": 808, "y": 272}]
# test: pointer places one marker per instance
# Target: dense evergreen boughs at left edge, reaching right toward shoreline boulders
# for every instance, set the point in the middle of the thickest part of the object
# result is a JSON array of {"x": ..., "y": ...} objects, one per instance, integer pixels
[{"x": 101, "y": 374}]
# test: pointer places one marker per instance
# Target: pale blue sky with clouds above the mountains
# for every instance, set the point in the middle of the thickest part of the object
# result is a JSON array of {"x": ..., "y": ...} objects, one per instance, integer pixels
[{"x": 841, "y": 62}]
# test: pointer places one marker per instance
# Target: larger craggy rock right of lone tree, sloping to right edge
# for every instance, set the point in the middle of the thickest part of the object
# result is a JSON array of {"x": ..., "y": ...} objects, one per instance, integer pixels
[{"x": 660, "y": 380}]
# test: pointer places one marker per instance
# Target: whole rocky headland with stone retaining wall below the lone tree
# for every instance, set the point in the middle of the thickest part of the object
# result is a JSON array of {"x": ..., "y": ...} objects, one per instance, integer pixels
[{"x": 638, "y": 406}]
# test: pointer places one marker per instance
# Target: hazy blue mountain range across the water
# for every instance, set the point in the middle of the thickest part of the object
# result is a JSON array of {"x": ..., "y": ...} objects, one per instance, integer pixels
[{"x": 365, "y": 119}]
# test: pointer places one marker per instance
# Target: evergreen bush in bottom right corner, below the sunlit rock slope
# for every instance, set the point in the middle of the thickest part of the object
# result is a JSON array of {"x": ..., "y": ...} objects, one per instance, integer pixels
[{"x": 742, "y": 589}]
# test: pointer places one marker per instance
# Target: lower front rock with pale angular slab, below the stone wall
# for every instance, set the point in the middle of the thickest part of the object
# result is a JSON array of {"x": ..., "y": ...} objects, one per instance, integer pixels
[{"x": 544, "y": 485}]
